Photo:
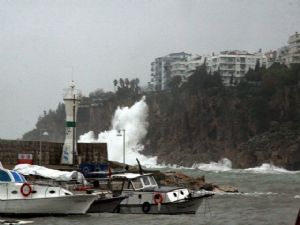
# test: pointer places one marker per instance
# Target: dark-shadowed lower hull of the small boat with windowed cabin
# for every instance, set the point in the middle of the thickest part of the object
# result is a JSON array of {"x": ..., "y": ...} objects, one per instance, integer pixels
[{"x": 188, "y": 206}]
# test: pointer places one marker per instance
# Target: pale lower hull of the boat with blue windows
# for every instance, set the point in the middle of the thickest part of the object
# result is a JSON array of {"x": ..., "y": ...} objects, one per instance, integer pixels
[{"x": 62, "y": 205}]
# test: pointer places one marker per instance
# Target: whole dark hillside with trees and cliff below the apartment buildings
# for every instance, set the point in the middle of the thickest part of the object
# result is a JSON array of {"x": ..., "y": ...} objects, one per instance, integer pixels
[{"x": 255, "y": 122}]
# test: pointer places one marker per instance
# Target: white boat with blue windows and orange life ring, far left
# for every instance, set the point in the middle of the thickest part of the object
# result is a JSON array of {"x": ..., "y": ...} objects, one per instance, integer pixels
[{"x": 18, "y": 197}]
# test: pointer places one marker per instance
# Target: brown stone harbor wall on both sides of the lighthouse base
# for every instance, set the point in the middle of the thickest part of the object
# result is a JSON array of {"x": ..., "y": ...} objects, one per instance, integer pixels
[{"x": 51, "y": 152}]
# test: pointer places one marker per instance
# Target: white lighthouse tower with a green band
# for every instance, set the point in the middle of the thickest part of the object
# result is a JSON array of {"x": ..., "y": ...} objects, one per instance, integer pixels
[{"x": 71, "y": 99}]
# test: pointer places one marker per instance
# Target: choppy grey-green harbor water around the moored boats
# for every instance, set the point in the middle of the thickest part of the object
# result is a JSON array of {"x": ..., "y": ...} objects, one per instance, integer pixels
[{"x": 268, "y": 197}]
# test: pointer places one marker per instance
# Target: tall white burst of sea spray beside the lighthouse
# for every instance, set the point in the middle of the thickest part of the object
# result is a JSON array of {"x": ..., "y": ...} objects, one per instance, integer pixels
[{"x": 134, "y": 121}]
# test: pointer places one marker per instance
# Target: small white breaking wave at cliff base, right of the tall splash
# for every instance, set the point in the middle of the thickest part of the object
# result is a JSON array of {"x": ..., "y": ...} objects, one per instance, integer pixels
[{"x": 222, "y": 165}]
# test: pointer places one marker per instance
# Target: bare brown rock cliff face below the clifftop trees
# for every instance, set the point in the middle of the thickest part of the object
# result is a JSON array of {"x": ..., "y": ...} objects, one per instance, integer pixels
[{"x": 211, "y": 124}]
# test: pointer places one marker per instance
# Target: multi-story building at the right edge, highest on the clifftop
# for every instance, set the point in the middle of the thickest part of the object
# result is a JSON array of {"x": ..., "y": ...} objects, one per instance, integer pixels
[{"x": 290, "y": 54}]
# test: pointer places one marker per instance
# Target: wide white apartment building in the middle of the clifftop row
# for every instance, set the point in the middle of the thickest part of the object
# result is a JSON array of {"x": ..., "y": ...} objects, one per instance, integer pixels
[{"x": 233, "y": 65}]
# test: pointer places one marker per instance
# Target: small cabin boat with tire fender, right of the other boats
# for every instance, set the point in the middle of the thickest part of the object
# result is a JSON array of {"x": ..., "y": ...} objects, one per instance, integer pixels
[{"x": 145, "y": 196}]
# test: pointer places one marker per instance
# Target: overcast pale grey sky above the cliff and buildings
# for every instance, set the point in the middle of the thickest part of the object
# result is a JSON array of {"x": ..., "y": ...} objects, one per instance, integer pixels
[{"x": 42, "y": 40}]
